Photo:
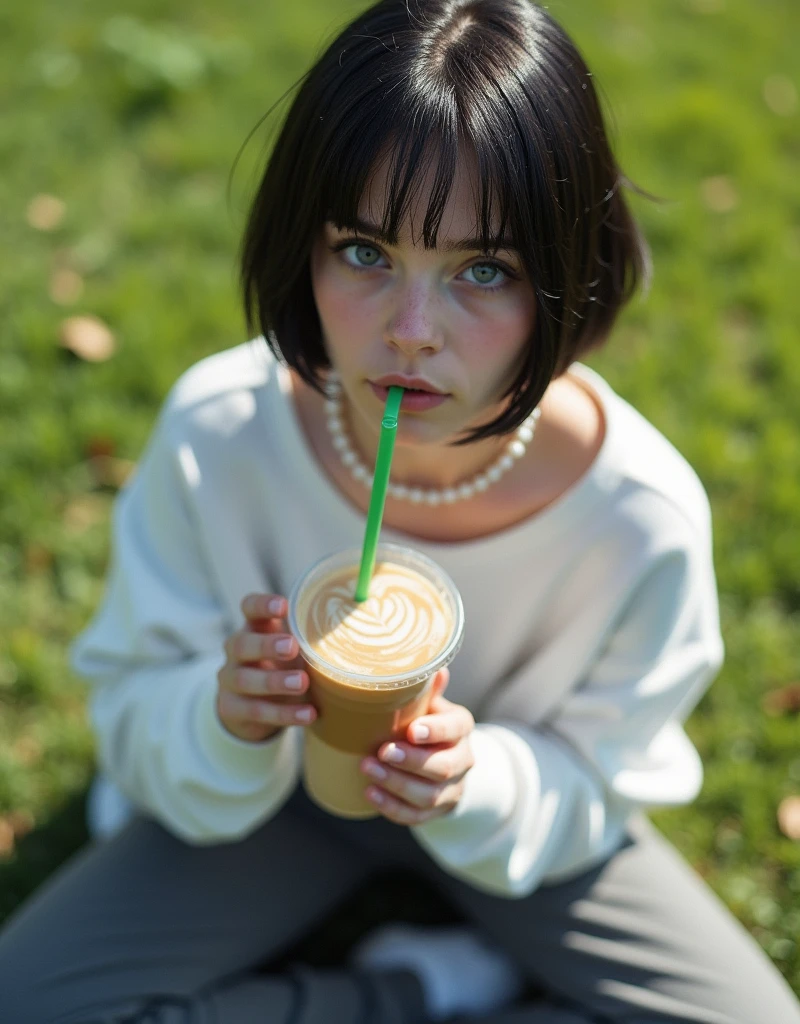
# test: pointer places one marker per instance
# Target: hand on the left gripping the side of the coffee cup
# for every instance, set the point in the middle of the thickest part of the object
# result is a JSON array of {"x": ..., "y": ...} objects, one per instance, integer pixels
[{"x": 256, "y": 696}]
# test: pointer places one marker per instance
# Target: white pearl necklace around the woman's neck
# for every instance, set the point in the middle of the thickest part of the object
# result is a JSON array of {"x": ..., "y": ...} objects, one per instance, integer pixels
[{"x": 418, "y": 496}]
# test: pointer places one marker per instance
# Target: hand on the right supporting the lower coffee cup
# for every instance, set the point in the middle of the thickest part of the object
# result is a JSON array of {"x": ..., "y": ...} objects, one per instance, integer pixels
[{"x": 424, "y": 779}]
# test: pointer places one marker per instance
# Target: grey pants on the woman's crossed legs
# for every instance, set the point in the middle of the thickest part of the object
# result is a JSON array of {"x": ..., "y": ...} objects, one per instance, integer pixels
[{"x": 145, "y": 929}]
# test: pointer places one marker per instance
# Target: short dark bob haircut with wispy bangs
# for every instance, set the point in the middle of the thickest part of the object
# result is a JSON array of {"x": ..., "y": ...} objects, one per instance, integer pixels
[{"x": 499, "y": 79}]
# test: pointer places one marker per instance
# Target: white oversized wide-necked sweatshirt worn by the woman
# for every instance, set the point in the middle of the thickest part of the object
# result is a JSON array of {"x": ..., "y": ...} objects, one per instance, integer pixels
[{"x": 592, "y": 631}]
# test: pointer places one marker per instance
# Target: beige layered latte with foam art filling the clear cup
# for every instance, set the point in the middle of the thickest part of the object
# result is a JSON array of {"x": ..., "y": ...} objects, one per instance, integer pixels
[{"x": 404, "y": 624}]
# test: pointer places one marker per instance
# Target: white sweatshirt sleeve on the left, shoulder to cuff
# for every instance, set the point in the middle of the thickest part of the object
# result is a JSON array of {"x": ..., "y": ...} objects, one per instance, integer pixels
[{"x": 151, "y": 656}]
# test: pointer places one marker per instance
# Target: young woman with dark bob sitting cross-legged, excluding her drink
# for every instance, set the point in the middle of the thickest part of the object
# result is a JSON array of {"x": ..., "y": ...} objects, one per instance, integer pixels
[{"x": 442, "y": 204}]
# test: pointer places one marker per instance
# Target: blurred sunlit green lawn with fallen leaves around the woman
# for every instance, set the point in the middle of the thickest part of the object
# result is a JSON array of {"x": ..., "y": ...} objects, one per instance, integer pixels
[{"x": 118, "y": 249}]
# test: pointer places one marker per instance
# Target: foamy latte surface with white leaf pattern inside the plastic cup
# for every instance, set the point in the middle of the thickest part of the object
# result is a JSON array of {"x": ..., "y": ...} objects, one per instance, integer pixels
[{"x": 403, "y": 625}]
